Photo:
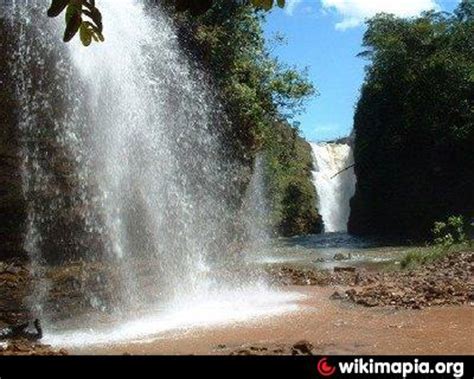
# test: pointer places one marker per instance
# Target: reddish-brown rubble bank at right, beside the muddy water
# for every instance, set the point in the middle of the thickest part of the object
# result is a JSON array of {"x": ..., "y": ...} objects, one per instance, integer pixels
[{"x": 449, "y": 280}]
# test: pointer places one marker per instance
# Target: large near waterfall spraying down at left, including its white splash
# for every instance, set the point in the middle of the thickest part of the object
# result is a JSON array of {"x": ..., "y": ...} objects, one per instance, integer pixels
[{"x": 126, "y": 181}]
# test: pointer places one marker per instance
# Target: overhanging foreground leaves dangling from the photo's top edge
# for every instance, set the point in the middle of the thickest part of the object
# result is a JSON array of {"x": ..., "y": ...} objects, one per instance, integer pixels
[{"x": 91, "y": 28}]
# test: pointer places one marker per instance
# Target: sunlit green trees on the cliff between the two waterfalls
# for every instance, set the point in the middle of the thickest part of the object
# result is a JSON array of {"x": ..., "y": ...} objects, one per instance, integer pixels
[{"x": 260, "y": 96}]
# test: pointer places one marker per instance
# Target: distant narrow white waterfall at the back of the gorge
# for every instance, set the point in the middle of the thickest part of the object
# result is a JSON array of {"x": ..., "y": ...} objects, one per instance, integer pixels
[{"x": 334, "y": 192}]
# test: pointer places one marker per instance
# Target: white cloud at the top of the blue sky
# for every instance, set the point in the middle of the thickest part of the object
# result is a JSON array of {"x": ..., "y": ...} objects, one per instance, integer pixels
[{"x": 354, "y": 12}]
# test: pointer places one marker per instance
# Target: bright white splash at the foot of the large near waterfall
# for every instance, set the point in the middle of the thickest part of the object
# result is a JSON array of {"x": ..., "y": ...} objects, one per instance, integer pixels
[{"x": 220, "y": 309}]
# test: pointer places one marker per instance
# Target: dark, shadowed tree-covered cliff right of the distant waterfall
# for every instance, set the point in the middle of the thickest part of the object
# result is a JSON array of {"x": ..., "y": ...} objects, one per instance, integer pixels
[{"x": 414, "y": 123}]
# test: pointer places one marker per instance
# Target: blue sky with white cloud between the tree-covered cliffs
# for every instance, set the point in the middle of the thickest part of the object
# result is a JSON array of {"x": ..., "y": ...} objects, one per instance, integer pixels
[{"x": 325, "y": 36}]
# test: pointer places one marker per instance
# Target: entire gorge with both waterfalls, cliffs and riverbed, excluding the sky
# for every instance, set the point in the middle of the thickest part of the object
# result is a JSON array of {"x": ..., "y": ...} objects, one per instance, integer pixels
[{"x": 158, "y": 195}]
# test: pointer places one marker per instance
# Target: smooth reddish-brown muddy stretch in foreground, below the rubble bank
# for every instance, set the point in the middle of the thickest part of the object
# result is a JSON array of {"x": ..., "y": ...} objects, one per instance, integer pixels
[{"x": 330, "y": 326}]
